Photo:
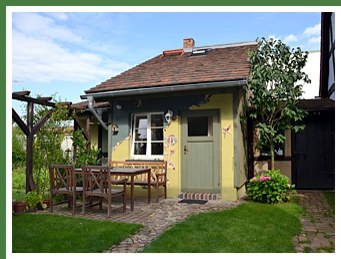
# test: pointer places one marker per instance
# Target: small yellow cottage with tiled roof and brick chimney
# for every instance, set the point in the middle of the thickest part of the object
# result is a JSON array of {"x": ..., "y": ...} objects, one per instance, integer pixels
[{"x": 182, "y": 106}]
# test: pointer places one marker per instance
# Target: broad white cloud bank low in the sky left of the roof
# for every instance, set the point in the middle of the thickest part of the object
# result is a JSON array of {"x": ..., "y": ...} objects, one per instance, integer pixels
[{"x": 36, "y": 60}]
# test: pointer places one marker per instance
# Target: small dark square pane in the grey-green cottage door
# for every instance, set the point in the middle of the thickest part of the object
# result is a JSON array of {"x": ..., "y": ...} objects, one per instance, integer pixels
[{"x": 200, "y": 126}]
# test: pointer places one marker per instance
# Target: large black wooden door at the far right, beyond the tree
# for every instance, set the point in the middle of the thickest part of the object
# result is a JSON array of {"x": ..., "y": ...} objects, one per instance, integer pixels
[{"x": 314, "y": 152}]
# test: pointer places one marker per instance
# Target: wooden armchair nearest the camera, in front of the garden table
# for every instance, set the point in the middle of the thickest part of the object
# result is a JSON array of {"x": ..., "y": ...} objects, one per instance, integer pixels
[{"x": 97, "y": 183}]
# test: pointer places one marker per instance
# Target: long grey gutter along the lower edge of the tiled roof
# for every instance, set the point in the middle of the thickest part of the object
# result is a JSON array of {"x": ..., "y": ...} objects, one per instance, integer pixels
[{"x": 165, "y": 89}]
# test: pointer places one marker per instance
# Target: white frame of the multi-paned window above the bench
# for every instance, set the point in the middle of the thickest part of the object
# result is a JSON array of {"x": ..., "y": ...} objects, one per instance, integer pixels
[{"x": 148, "y": 155}]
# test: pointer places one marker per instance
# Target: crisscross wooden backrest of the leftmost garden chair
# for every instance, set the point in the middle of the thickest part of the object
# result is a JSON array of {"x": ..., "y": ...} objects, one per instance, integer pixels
[{"x": 62, "y": 177}]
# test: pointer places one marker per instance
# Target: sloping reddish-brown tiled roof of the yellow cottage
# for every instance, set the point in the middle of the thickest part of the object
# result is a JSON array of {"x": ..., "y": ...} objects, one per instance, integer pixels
[{"x": 177, "y": 67}]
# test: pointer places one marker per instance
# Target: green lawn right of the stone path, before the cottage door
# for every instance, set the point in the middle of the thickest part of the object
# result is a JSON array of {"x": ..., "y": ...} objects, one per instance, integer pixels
[{"x": 248, "y": 228}]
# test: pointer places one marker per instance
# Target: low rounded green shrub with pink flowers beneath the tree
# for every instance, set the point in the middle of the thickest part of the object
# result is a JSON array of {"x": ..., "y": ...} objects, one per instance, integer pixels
[{"x": 270, "y": 187}]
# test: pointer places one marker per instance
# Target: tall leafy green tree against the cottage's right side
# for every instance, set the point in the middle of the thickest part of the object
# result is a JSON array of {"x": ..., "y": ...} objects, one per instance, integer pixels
[{"x": 274, "y": 88}]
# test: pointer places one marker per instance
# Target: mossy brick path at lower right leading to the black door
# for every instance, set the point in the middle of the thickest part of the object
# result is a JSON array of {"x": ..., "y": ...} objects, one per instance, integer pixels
[{"x": 318, "y": 224}]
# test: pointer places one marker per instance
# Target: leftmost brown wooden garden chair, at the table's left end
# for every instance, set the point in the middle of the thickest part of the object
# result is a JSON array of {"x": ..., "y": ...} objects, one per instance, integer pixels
[{"x": 63, "y": 181}]
